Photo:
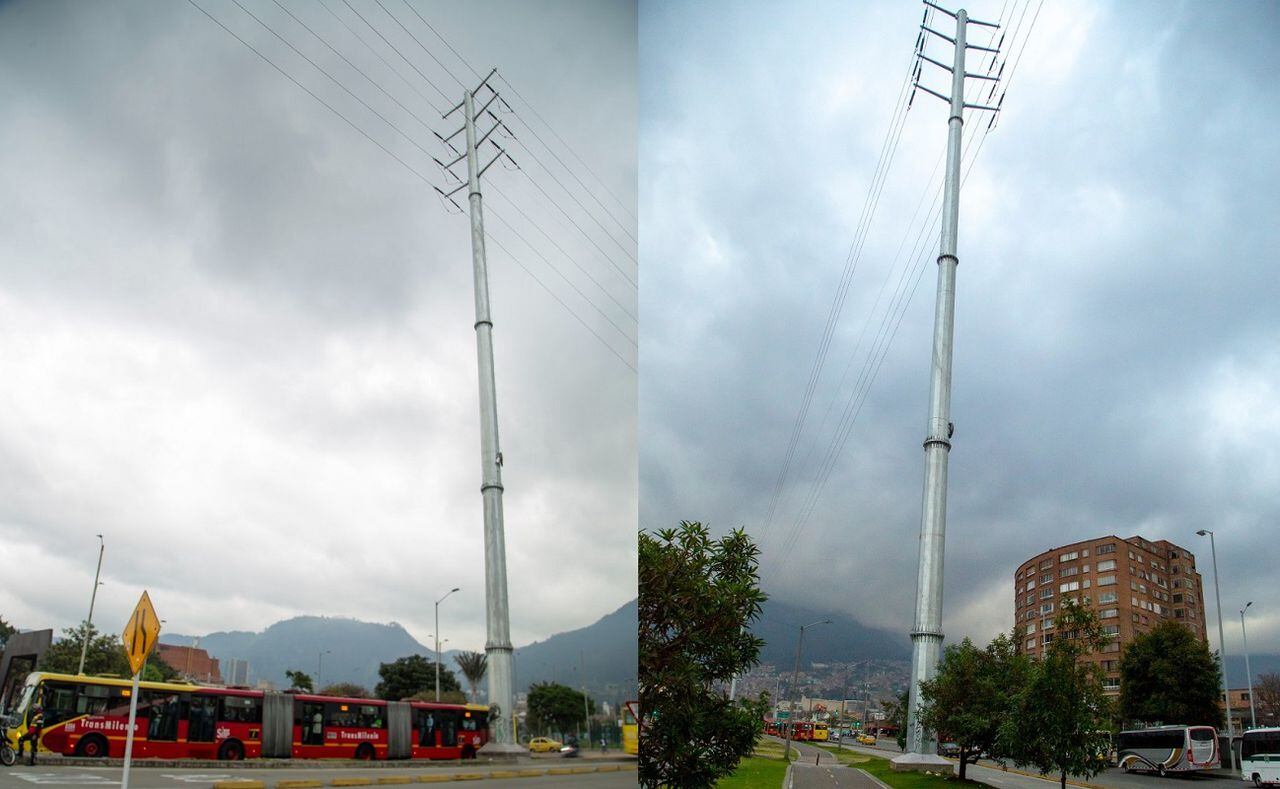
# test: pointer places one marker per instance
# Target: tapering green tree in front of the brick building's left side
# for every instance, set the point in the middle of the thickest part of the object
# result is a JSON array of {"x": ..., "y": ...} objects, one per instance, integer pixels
[{"x": 1058, "y": 719}]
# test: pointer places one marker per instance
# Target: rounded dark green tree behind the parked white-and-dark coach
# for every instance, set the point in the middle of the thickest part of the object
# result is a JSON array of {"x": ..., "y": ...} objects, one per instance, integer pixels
[{"x": 1169, "y": 676}]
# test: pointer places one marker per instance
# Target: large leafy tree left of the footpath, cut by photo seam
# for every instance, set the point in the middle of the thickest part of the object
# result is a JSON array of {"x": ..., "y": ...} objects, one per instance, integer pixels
[{"x": 698, "y": 598}]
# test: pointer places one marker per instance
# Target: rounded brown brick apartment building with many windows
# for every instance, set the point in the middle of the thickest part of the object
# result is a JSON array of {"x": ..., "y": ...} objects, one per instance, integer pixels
[{"x": 1131, "y": 585}]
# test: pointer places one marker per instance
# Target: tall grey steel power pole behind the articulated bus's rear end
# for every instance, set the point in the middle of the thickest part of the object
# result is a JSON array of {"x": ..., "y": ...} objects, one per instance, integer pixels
[{"x": 497, "y": 647}]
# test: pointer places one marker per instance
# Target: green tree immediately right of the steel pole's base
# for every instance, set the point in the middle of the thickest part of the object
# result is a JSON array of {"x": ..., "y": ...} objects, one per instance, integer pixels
[{"x": 972, "y": 694}]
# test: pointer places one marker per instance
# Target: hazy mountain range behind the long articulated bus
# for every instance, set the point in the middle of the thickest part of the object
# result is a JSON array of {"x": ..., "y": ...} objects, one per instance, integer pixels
[{"x": 606, "y": 651}]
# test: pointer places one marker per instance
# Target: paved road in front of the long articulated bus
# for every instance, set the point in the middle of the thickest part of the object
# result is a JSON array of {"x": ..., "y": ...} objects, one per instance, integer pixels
[{"x": 22, "y": 777}]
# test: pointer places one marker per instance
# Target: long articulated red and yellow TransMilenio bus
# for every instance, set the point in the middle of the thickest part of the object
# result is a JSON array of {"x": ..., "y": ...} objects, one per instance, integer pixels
[{"x": 90, "y": 717}]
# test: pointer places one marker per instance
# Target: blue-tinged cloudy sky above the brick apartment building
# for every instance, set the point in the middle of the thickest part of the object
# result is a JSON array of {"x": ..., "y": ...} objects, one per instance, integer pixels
[{"x": 1117, "y": 364}]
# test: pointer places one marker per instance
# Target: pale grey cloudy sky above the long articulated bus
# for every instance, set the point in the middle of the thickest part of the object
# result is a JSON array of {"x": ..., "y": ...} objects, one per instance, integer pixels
[{"x": 236, "y": 334}]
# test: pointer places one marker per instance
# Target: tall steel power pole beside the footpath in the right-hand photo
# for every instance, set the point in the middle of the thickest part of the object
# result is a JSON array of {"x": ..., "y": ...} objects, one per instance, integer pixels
[{"x": 927, "y": 633}]
